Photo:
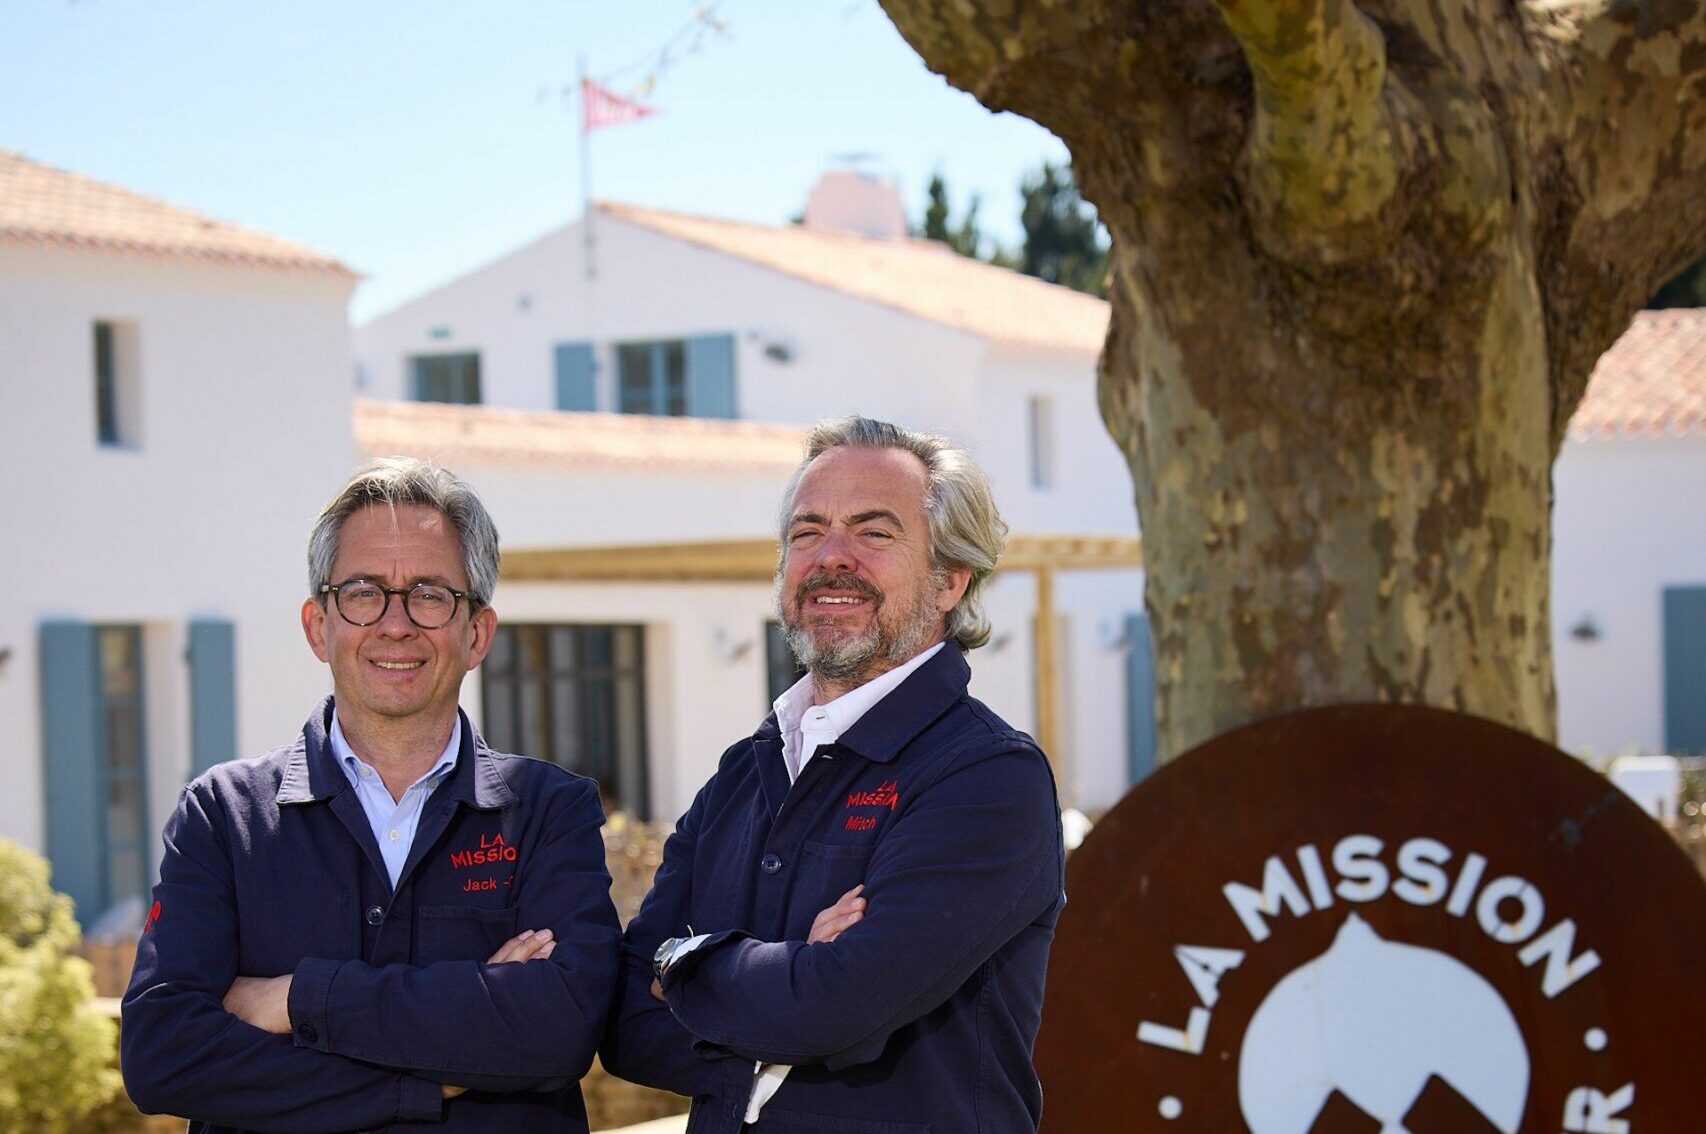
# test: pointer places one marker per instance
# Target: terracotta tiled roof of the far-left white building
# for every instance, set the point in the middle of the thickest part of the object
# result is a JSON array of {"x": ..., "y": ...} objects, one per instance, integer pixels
[{"x": 42, "y": 205}]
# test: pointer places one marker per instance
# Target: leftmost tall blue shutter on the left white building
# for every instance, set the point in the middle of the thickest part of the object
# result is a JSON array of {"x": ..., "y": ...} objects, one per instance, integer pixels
[{"x": 73, "y": 746}]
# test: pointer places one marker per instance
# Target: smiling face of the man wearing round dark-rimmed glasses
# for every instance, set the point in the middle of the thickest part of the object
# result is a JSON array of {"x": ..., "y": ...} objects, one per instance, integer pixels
[{"x": 393, "y": 674}]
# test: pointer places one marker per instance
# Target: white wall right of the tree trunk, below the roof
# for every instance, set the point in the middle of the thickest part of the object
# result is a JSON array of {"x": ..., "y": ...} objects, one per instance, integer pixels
[{"x": 1630, "y": 519}]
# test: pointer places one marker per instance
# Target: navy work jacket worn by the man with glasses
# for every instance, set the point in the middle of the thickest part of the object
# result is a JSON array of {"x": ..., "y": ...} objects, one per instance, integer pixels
[{"x": 272, "y": 867}]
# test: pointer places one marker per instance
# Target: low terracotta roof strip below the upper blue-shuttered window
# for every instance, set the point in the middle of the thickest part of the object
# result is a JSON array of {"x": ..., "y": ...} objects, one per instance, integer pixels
[{"x": 479, "y": 436}]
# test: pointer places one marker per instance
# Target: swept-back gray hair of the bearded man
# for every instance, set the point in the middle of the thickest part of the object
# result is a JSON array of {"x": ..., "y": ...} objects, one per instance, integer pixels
[{"x": 966, "y": 529}]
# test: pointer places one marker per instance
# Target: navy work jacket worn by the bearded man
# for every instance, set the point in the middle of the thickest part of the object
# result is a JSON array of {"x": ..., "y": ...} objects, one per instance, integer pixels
[{"x": 922, "y": 1017}]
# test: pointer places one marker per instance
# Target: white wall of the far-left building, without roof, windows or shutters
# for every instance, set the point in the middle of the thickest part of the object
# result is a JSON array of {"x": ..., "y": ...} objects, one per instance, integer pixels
[{"x": 245, "y": 432}]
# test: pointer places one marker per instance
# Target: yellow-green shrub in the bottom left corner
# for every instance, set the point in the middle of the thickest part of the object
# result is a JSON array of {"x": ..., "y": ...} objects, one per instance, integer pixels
[{"x": 55, "y": 1048}]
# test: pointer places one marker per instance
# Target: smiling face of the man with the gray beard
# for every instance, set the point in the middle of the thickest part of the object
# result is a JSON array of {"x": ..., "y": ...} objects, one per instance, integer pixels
[{"x": 857, "y": 593}]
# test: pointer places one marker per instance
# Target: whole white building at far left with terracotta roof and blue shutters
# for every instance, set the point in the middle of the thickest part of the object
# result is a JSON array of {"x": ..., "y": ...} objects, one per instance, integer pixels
[{"x": 175, "y": 402}]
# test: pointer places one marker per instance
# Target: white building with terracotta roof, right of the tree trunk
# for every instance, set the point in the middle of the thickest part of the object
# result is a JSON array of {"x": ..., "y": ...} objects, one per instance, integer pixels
[{"x": 1630, "y": 548}]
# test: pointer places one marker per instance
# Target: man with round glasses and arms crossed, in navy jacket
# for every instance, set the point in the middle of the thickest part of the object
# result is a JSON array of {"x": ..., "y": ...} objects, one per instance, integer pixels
[{"x": 385, "y": 923}]
